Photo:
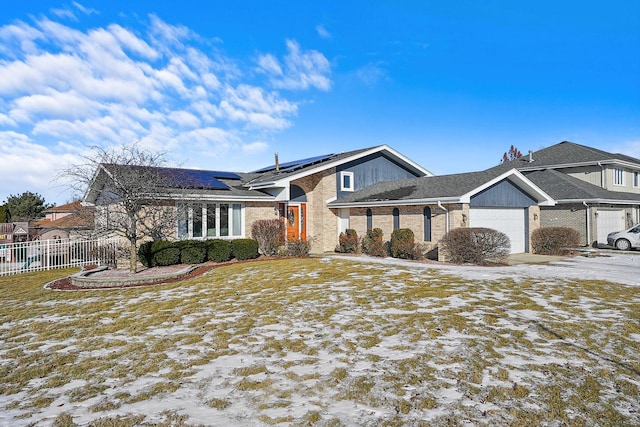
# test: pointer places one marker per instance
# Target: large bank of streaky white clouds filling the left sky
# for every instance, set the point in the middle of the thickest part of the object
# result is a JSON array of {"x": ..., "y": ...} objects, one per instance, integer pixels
[{"x": 62, "y": 88}]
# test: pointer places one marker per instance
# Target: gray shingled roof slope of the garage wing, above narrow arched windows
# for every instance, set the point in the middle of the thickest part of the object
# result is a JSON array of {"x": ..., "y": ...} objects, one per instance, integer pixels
[{"x": 432, "y": 187}]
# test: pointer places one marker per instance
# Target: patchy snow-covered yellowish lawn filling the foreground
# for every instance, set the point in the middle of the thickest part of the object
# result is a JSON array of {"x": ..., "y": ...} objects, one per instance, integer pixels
[{"x": 327, "y": 342}]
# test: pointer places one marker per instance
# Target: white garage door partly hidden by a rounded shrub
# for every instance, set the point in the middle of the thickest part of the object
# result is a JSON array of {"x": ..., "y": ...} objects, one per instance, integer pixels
[{"x": 509, "y": 221}]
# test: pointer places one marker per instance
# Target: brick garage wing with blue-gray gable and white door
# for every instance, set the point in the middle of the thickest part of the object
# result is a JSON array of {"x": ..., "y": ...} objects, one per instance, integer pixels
[{"x": 431, "y": 206}]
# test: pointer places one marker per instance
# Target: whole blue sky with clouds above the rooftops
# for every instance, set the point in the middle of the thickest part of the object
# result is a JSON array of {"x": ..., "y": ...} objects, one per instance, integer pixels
[{"x": 225, "y": 85}]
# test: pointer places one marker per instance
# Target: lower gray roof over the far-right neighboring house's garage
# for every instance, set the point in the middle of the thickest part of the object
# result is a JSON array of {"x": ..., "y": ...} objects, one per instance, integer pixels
[{"x": 564, "y": 187}]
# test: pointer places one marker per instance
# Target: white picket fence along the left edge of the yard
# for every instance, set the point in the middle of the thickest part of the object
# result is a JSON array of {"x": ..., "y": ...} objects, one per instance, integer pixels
[{"x": 59, "y": 253}]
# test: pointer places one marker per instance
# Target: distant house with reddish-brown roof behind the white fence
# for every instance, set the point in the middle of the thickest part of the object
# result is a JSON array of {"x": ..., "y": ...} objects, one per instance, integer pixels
[{"x": 66, "y": 221}]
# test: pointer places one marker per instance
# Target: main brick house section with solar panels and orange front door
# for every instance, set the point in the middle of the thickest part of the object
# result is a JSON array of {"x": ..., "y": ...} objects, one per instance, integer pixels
[{"x": 224, "y": 204}]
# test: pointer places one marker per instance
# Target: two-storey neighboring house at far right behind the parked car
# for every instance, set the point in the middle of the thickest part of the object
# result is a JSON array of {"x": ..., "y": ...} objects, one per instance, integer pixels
[{"x": 596, "y": 192}]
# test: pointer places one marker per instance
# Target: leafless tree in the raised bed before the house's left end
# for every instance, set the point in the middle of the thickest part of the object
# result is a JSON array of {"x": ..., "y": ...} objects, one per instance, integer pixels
[{"x": 132, "y": 190}]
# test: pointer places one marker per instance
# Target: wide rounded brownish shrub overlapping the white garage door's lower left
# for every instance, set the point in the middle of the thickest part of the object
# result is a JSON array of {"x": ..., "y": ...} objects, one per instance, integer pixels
[{"x": 476, "y": 245}]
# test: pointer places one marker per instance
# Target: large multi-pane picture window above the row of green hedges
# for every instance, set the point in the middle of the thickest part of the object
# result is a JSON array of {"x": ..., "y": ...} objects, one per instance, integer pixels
[{"x": 210, "y": 220}]
